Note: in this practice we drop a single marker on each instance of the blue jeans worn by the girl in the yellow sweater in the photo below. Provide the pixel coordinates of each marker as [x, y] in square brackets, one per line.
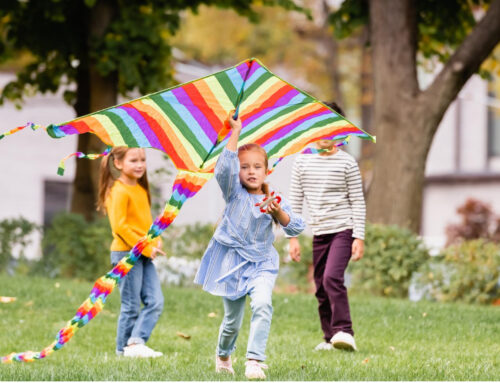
[141, 284]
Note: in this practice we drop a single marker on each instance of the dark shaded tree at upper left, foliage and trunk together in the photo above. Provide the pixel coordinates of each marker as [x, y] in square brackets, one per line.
[95, 50]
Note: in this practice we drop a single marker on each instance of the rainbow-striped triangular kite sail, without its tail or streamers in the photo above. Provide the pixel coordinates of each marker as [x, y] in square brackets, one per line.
[187, 122]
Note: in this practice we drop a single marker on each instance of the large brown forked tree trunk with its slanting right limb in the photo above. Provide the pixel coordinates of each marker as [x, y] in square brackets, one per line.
[405, 118]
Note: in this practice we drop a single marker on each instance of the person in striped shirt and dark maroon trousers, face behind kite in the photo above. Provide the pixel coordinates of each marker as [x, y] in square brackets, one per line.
[330, 183]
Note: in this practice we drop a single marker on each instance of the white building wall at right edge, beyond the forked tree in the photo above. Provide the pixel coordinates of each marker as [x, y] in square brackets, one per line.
[465, 130]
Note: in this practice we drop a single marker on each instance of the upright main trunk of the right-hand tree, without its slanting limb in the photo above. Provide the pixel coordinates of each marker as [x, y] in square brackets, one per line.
[395, 195]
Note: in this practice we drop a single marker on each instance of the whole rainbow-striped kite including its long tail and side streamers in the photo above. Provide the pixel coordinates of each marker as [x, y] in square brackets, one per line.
[187, 122]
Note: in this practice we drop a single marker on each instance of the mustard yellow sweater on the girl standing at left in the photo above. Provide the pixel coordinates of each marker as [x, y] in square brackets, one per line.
[129, 214]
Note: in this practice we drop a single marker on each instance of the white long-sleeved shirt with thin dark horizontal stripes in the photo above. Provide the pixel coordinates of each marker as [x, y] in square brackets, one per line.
[333, 190]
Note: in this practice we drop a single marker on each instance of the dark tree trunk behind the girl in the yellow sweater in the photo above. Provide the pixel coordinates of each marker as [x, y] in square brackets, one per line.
[95, 92]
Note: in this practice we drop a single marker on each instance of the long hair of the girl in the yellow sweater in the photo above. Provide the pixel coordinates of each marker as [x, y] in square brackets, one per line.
[107, 177]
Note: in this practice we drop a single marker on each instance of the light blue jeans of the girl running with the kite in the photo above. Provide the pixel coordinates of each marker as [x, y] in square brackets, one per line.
[262, 312]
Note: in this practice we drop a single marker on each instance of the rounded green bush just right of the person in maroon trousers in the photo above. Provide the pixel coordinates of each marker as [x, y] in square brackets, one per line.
[392, 256]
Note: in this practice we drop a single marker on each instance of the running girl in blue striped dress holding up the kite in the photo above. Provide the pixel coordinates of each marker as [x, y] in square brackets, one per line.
[240, 259]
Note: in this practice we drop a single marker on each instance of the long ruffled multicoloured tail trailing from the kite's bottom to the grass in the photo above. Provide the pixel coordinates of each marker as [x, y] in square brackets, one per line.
[186, 185]
